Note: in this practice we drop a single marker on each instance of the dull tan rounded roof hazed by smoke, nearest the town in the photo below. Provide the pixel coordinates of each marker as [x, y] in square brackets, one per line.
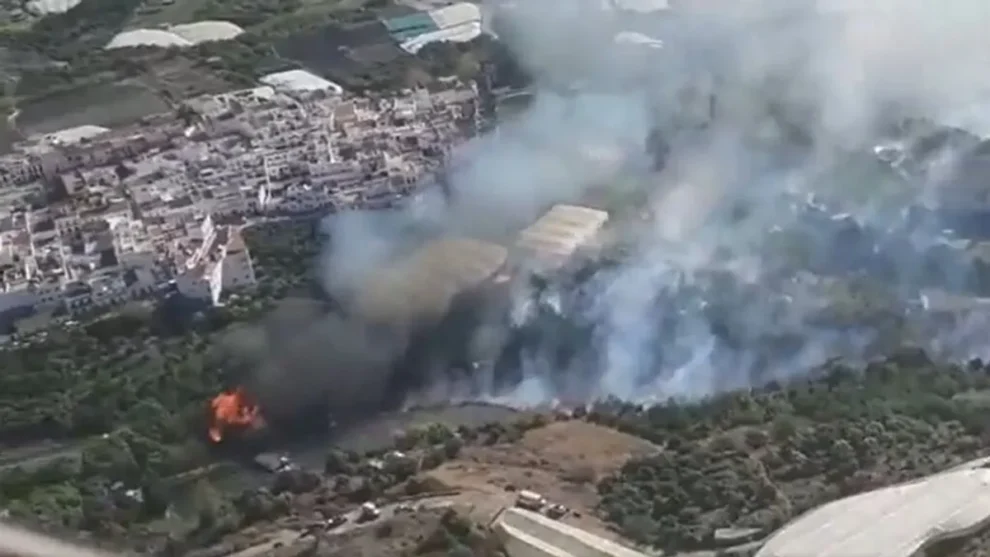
[423, 286]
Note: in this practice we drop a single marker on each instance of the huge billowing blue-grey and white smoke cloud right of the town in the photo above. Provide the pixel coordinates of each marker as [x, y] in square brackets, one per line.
[783, 171]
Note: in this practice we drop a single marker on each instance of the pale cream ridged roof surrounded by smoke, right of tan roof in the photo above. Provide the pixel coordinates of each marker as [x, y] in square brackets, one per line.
[551, 241]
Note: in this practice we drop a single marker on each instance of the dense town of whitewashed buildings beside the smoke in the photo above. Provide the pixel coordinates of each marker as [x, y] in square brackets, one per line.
[93, 217]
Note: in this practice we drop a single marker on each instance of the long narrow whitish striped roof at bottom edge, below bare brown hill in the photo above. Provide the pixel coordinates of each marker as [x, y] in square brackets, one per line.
[529, 534]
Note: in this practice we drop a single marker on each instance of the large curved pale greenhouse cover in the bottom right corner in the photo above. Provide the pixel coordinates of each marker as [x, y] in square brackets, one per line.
[899, 521]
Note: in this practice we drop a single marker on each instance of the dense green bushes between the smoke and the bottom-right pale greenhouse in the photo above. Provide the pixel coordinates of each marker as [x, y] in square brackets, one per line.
[839, 433]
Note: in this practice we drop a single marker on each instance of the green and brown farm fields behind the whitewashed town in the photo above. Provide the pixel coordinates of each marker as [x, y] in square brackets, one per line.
[64, 53]
